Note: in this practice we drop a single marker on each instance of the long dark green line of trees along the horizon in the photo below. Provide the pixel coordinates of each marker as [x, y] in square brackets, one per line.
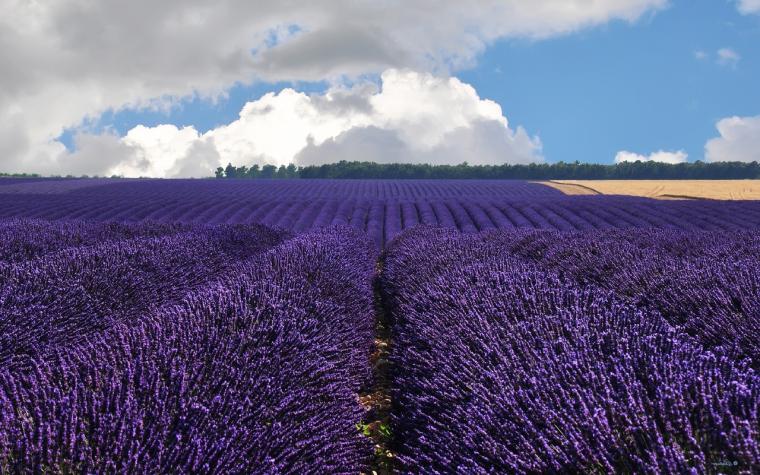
[544, 171]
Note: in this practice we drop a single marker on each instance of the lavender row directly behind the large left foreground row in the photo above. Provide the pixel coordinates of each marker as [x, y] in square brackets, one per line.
[73, 293]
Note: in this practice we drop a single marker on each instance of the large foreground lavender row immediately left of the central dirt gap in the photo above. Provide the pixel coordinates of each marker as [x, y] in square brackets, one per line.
[258, 372]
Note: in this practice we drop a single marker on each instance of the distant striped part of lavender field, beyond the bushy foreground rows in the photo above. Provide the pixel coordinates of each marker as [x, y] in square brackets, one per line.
[381, 208]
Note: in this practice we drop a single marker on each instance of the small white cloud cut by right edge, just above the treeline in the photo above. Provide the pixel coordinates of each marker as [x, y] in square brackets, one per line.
[739, 141]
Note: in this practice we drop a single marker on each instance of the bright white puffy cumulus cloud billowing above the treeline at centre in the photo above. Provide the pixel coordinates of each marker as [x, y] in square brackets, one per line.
[413, 117]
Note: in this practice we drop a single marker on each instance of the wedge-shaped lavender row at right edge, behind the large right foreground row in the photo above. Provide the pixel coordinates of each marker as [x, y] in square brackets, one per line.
[706, 283]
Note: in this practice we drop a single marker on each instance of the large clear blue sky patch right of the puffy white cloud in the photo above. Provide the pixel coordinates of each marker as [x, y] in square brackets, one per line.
[639, 88]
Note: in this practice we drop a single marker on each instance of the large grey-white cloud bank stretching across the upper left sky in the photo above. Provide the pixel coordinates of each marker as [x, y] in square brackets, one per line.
[67, 60]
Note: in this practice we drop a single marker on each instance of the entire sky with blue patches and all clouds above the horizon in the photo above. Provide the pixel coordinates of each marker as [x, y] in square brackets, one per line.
[177, 88]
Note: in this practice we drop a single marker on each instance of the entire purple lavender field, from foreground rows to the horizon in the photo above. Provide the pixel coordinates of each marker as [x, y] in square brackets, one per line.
[316, 326]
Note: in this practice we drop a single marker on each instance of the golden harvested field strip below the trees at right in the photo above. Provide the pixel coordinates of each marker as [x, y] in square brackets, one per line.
[663, 189]
